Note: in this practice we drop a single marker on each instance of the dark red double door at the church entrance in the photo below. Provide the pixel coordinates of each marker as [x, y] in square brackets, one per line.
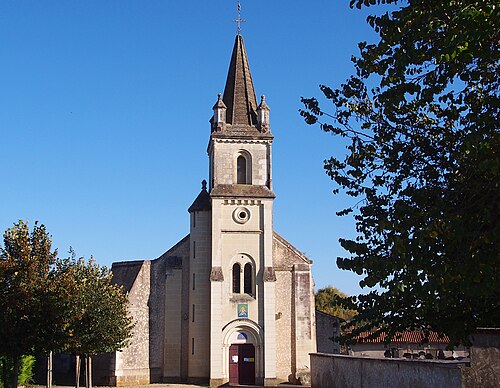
[242, 364]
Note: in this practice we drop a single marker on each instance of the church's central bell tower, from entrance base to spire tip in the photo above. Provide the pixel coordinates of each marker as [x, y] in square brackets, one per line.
[242, 280]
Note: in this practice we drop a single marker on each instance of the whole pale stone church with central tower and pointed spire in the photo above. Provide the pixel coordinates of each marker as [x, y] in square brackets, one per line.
[233, 301]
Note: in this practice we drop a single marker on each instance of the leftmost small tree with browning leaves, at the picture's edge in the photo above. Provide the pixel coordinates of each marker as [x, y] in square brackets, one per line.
[25, 262]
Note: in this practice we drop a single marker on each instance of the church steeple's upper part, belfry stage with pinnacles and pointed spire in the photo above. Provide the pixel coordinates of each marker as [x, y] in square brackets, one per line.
[240, 147]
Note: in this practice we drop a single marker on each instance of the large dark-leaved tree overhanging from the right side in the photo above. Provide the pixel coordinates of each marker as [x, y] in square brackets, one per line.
[421, 119]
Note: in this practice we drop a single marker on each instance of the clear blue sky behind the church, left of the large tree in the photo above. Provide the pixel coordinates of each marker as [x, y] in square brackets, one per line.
[104, 109]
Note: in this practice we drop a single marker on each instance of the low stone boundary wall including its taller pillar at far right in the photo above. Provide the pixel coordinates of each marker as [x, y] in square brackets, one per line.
[482, 370]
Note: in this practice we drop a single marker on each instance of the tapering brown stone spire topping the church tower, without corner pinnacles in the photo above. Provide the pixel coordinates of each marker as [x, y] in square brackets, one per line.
[239, 94]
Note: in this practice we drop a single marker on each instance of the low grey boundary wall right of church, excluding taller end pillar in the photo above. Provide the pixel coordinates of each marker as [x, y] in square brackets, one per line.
[336, 371]
